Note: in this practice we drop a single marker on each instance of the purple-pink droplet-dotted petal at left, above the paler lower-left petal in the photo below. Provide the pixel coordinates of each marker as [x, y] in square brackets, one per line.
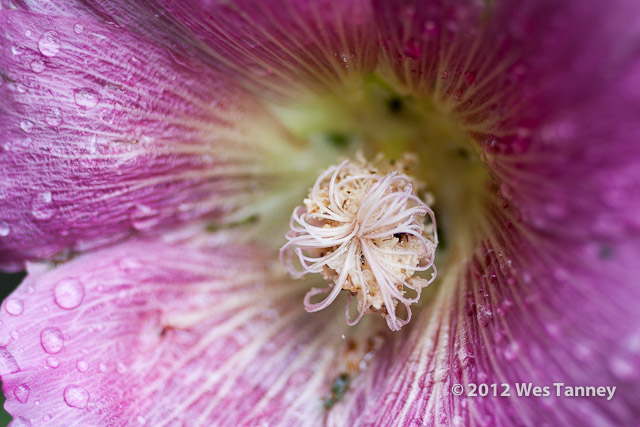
[105, 135]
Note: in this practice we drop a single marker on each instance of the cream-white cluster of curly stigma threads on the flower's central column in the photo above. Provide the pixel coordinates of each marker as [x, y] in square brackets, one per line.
[366, 230]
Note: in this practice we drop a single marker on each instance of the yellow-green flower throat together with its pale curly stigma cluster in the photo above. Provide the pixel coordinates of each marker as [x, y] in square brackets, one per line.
[377, 114]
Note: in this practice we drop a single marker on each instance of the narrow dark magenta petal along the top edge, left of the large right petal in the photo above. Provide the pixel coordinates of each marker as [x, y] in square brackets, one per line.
[272, 46]
